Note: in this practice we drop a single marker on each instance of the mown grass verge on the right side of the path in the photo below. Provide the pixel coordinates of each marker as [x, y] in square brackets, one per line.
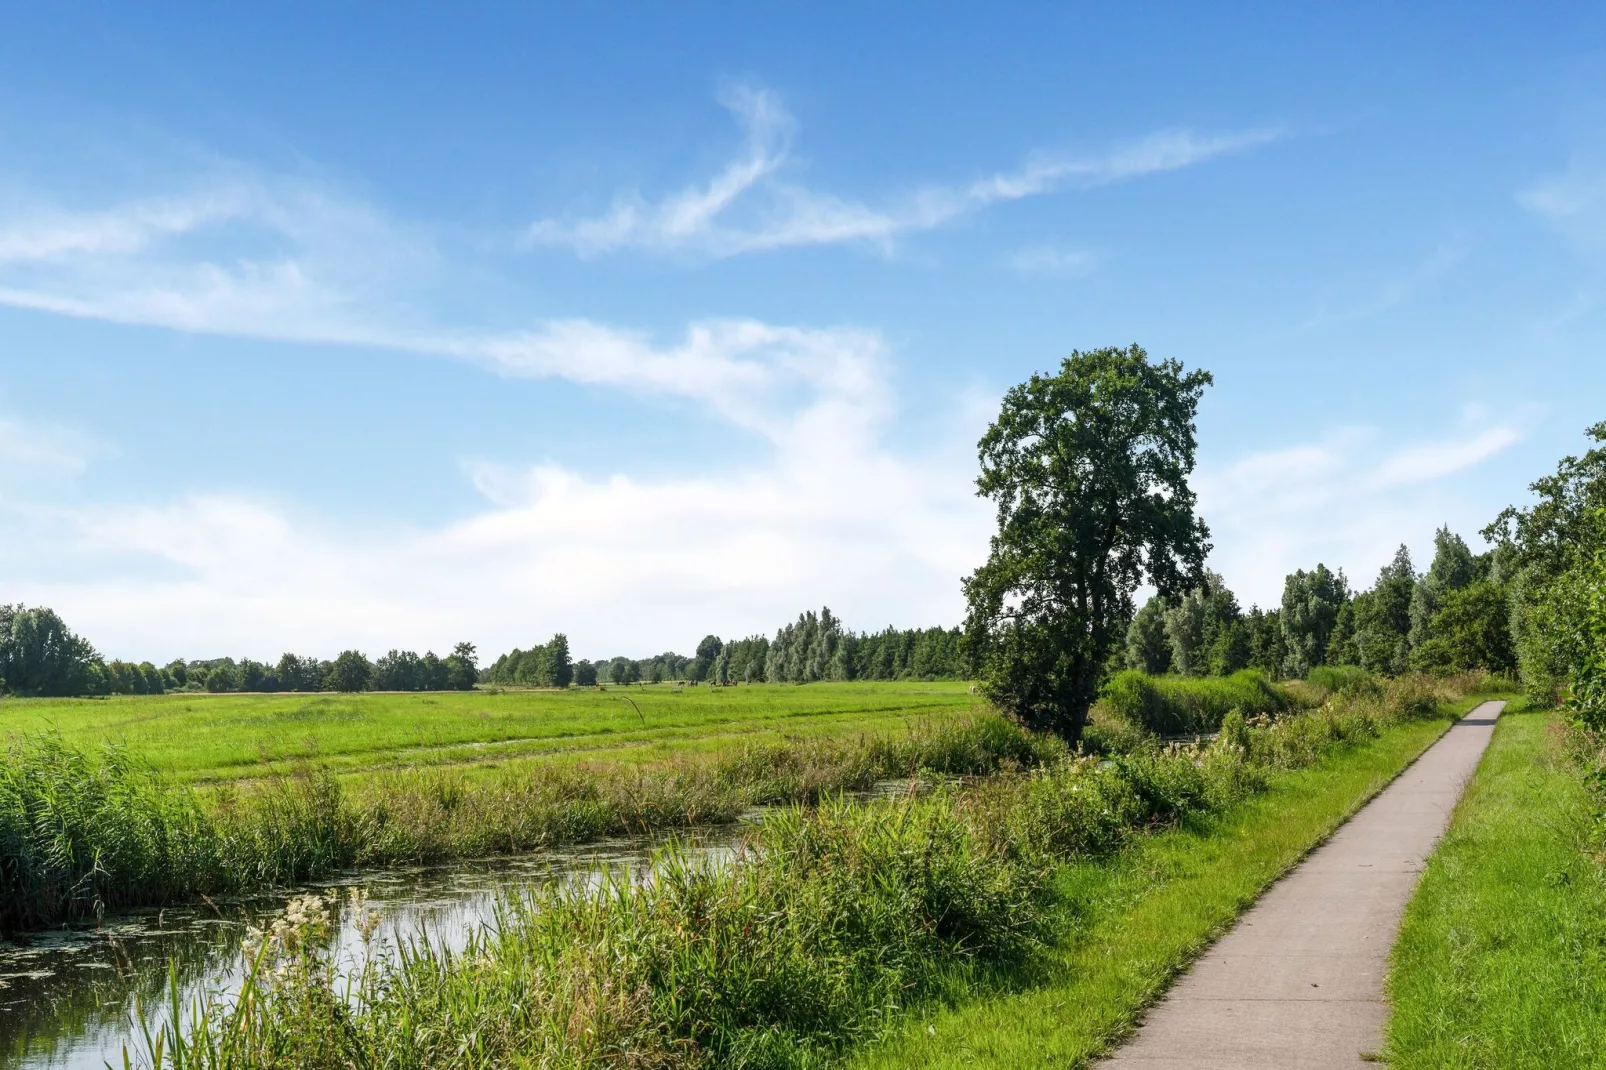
[1502, 957]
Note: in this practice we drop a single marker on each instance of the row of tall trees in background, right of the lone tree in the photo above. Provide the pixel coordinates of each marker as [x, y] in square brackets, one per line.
[1456, 616]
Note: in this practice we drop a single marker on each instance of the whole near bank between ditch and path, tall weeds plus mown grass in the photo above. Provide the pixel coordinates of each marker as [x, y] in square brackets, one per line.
[1024, 921]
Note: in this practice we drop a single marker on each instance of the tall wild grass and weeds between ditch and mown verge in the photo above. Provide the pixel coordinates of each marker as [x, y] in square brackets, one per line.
[826, 926]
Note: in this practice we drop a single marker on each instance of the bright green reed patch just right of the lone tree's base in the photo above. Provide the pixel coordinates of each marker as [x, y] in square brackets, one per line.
[1172, 706]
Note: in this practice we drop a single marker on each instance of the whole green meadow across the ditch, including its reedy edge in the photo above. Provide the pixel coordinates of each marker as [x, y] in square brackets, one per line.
[123, 802]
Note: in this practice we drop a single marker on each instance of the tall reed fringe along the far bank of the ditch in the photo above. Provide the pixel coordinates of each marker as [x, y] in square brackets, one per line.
[84, 833]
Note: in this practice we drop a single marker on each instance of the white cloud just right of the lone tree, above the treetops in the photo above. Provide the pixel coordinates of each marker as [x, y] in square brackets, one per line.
[1347, 500]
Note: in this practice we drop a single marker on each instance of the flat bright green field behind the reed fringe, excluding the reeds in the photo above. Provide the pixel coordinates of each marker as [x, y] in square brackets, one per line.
[234, 737]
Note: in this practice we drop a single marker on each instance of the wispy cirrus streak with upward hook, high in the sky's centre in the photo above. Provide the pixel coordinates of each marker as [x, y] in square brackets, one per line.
[752, 206]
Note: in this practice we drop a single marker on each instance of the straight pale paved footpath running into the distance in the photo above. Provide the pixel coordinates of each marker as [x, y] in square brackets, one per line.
[1298, 982]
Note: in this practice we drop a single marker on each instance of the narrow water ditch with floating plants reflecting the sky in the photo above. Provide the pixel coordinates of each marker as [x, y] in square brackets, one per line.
[70, 997]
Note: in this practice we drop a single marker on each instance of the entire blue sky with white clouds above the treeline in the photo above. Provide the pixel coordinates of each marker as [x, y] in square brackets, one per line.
[396, 327]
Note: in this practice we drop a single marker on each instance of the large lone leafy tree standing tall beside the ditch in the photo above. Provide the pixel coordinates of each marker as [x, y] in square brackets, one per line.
[1090, 473]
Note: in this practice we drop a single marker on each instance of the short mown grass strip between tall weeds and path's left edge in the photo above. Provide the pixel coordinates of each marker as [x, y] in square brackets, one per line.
[1133, 925]
